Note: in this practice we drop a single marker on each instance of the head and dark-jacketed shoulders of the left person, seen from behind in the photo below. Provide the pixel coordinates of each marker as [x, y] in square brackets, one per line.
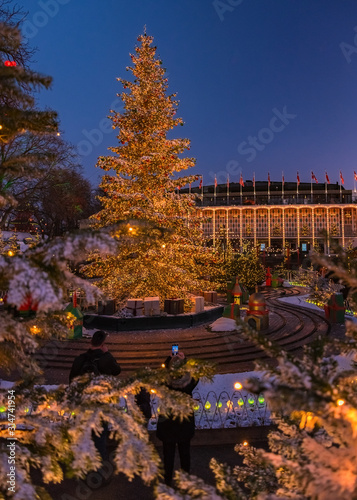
[98, 351]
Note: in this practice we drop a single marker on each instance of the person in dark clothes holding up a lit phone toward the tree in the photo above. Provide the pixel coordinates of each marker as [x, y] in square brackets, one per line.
[172, 431]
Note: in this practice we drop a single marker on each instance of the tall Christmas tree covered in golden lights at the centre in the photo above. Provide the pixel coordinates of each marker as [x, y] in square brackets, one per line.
[143, 186]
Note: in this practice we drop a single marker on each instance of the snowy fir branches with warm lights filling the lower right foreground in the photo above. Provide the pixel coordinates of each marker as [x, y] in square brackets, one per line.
[313, 454]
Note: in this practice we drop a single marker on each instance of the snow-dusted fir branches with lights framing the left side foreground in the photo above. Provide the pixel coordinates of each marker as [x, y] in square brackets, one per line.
[53, 428]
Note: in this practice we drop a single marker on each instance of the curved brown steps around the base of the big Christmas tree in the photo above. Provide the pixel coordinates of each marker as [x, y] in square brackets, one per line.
[290, 326]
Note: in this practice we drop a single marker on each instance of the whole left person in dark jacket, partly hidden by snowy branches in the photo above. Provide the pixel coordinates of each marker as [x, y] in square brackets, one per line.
[107, 365]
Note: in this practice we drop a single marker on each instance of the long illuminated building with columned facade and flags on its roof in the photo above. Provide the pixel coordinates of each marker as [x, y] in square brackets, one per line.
[279, 215]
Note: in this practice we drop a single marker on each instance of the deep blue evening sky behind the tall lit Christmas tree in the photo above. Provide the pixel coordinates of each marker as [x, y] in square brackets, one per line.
[235, 64]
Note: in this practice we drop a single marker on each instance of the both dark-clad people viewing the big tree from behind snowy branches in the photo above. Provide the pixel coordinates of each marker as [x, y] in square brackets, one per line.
[97, 360]
